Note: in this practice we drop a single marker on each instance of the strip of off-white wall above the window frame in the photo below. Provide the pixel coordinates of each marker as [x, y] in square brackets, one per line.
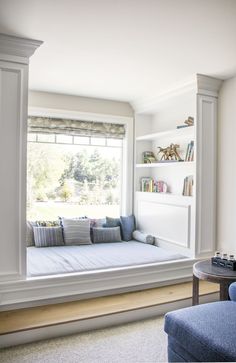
[81, 104]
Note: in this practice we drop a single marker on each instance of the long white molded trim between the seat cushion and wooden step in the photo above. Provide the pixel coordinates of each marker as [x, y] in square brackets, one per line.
[91, 284]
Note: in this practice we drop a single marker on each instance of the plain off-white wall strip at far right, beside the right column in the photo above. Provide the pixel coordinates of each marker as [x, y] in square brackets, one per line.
[226, 180]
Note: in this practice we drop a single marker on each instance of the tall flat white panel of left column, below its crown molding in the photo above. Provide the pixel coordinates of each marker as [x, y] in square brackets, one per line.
[11, 80]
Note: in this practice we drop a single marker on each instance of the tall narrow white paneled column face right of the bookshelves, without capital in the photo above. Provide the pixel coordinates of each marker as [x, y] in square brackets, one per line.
[206, 175]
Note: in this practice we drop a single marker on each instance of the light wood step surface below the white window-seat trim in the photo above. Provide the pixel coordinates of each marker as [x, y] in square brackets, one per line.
[43, 316]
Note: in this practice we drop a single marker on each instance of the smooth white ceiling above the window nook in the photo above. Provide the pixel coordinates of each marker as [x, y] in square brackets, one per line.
[127, 50]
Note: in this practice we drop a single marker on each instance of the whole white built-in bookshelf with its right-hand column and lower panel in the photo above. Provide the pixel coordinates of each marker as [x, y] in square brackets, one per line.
[182, 215]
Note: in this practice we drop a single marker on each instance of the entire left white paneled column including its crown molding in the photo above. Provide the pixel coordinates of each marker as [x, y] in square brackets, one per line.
[14, 54]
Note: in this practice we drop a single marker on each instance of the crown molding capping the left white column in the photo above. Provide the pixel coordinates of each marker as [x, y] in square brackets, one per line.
[17, 49]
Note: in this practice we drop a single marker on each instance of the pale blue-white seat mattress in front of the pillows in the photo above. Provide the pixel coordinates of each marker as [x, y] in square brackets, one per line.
[68, 259]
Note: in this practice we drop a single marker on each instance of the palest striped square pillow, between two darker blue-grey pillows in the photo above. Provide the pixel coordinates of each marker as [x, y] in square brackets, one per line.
[76, 231]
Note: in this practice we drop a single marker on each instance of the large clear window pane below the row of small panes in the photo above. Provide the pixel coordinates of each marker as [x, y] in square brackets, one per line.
[73, 180]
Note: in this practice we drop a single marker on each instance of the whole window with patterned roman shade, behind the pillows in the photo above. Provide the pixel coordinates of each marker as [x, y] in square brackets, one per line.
[73, 174]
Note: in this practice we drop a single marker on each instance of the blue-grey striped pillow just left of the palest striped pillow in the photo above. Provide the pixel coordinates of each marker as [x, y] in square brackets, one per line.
[48, 236]
